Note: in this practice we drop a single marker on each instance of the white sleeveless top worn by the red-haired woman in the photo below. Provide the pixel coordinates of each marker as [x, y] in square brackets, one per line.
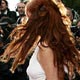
[34, 70]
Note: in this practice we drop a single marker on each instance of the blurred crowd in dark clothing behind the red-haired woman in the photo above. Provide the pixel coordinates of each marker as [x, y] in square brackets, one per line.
[9, 20]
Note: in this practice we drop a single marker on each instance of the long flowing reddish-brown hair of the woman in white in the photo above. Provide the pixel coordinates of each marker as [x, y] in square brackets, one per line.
[45, 24]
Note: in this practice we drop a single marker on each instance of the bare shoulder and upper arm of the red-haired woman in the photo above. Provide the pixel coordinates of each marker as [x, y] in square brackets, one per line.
[45, 57]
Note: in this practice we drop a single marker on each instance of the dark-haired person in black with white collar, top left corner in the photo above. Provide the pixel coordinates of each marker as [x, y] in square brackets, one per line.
[5, 11]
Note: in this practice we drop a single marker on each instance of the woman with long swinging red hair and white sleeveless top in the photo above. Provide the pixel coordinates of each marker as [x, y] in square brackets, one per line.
[47, 34]
